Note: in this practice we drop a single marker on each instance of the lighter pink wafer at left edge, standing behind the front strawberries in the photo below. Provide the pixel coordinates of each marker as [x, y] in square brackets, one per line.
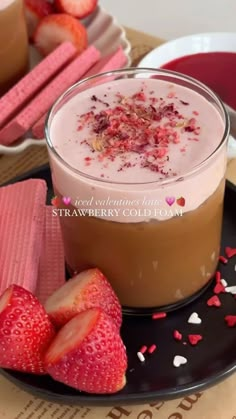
[22, 217]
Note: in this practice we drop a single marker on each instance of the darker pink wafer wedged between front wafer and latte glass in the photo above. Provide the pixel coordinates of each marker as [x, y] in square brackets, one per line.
[52, 261]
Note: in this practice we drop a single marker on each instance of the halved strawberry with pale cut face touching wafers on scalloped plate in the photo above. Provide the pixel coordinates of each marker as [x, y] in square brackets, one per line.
[55, 29]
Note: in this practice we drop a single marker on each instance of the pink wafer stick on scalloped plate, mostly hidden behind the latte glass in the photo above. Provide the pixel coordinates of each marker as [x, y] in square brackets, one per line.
[113, 61]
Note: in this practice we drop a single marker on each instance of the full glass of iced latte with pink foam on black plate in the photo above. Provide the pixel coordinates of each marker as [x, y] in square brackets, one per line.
[138, 163]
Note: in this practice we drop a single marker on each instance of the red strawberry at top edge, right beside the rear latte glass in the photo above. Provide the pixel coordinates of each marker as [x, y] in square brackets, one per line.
[35, 10]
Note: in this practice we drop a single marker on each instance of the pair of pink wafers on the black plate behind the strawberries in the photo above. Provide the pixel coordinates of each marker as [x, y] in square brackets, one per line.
[31, 253]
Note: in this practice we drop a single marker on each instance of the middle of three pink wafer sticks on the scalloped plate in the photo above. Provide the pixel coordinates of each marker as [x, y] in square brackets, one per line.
[19, 125]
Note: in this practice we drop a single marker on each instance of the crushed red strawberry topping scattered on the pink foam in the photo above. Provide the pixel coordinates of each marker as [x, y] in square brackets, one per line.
[139, 124]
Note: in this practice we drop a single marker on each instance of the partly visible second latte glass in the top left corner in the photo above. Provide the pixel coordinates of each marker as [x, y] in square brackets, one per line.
[14, 56]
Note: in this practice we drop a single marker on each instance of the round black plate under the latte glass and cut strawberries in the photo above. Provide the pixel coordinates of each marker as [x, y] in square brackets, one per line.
[156, 379]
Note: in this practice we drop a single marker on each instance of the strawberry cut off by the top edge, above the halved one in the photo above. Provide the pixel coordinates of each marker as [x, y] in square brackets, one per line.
[76, 8]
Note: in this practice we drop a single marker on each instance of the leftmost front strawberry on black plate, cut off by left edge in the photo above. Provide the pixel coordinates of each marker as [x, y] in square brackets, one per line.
[25, 331]
